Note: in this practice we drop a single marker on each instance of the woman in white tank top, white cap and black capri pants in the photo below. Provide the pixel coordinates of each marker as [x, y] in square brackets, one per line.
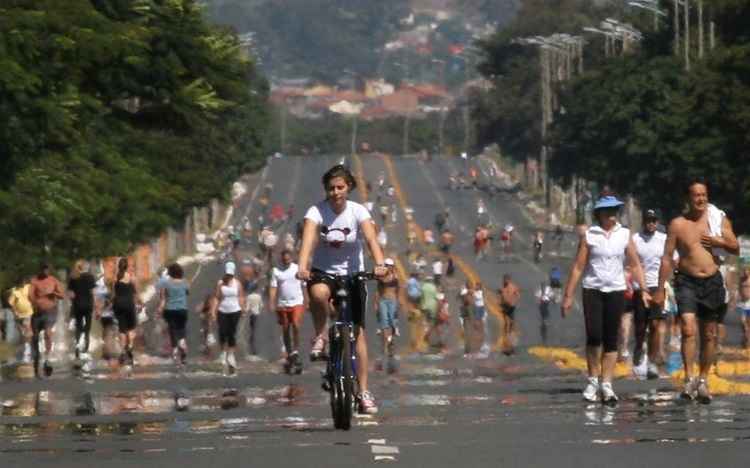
[226, 310]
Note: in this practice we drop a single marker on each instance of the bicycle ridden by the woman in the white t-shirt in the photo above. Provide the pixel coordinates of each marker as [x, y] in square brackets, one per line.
[340, 379]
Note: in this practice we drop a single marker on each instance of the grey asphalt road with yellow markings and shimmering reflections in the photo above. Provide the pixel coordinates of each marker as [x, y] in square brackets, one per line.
[438, 410]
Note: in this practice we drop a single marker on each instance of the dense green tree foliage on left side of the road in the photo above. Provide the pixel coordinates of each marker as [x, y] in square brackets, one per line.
[116, 117]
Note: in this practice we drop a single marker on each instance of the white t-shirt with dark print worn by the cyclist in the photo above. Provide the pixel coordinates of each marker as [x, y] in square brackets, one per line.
[340, 249]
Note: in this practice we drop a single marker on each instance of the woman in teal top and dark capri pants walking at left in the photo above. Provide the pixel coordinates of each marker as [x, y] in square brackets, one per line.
[173, 308]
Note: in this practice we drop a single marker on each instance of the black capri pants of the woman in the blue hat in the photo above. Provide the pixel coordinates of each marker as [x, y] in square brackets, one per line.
[602, 312]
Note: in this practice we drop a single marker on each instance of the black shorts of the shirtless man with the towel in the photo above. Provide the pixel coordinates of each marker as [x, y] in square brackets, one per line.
[705, 297]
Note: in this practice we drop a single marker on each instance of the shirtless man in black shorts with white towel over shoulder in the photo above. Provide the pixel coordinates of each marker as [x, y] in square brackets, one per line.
[699, 287]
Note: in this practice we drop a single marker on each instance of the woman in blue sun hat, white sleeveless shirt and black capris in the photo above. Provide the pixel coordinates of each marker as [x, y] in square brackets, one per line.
[602, 252]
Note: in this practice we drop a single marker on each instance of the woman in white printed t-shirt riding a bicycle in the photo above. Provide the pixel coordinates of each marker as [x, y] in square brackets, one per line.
[333, 236]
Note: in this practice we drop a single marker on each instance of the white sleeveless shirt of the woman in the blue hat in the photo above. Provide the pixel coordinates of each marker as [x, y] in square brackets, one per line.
[605, 269]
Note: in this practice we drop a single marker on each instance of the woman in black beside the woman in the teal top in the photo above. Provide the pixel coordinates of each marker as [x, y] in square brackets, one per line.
[125, 300]
